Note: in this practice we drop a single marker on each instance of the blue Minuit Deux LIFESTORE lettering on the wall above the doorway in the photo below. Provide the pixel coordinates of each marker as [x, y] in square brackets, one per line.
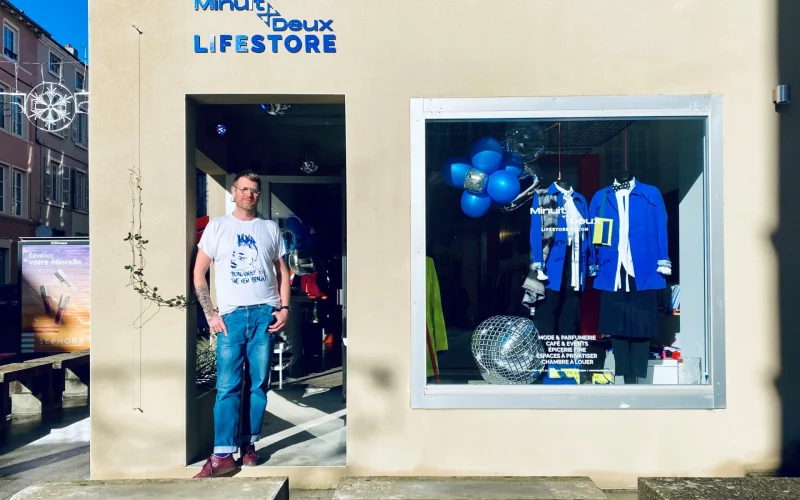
[314, 36]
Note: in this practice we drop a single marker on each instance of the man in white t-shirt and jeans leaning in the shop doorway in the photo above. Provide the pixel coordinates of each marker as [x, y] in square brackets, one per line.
[252, 288]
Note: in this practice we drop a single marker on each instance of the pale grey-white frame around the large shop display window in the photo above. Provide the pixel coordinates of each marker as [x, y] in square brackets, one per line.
[580, 397]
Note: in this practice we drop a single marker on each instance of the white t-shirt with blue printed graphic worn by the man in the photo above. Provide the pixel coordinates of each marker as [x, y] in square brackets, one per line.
[243, 253]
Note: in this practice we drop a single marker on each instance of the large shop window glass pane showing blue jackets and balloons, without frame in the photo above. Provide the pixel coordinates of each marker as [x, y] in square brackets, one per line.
[566, 252]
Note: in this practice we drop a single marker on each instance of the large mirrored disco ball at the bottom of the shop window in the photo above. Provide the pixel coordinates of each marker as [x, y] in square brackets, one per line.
[507, 350]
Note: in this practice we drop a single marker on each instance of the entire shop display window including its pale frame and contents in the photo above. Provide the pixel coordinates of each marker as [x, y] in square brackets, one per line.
[567, 253]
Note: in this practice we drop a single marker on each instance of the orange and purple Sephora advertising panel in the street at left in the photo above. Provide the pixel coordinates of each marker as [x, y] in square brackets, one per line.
[54, 279]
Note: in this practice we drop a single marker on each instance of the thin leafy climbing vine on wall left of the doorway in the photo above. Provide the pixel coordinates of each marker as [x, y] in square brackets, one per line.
[138, 243]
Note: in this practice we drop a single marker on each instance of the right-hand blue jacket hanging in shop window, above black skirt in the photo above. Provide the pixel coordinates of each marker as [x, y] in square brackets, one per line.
[647, 235]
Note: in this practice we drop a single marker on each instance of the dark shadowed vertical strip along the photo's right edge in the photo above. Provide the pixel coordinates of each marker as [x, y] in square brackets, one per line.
[786, 238]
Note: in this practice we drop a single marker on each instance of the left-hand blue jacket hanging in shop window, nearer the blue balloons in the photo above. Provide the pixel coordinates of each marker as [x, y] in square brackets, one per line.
[554, 267]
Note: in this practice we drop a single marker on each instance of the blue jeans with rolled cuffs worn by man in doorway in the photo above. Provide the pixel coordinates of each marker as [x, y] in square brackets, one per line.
[247, 338]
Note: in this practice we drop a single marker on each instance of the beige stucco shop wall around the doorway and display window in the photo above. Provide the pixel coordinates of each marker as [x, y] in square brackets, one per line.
[388, 52]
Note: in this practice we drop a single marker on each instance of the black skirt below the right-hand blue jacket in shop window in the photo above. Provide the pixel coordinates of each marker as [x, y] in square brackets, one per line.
[631, 314]
